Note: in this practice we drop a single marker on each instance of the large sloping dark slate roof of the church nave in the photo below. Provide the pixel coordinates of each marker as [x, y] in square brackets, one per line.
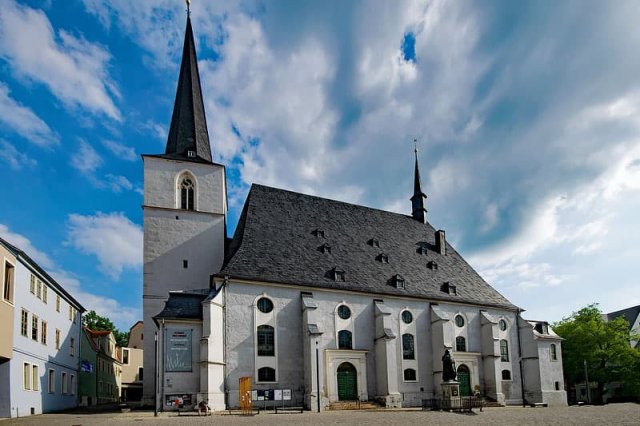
[275, 242]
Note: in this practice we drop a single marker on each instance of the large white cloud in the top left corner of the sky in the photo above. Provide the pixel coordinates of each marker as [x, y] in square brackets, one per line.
[74, 69]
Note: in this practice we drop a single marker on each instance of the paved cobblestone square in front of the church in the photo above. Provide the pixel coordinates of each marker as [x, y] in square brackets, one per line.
[613, 414]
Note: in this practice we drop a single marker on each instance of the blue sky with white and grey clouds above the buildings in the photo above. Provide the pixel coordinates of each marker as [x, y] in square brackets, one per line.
[527, 117]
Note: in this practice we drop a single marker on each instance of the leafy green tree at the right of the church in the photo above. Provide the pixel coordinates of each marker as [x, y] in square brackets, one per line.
[603, 345]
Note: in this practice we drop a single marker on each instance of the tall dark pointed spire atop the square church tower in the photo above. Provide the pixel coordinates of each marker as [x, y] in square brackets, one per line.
[188, 136]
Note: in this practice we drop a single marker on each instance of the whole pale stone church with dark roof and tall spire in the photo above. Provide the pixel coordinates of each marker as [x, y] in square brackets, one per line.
[314, 300]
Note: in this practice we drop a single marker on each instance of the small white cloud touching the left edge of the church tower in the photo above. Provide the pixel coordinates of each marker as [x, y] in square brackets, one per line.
[112, 238]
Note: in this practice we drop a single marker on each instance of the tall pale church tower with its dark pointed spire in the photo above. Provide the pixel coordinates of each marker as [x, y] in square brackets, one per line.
[185, 208]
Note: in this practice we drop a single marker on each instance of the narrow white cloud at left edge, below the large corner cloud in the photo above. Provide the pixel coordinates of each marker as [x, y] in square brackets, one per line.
[24, 121]
